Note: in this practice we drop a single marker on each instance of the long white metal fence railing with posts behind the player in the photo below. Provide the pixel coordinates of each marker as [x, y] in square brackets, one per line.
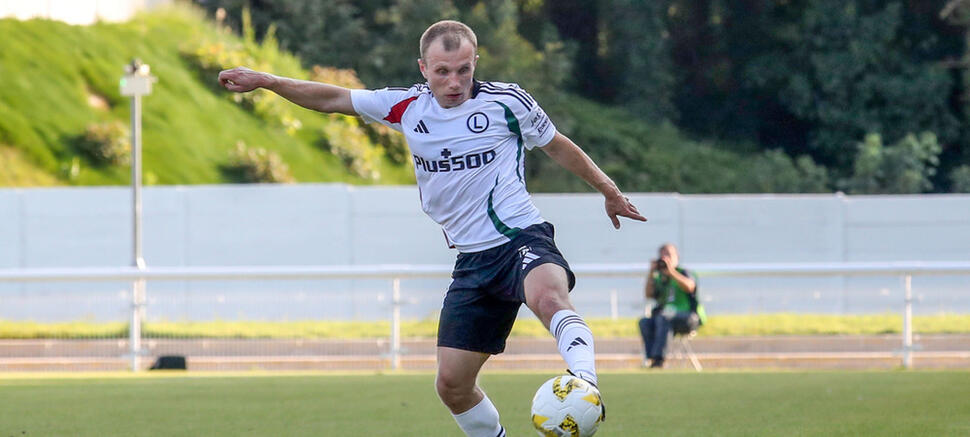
[394, 273]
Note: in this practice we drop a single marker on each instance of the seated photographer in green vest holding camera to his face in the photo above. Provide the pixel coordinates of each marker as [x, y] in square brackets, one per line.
[674, 290]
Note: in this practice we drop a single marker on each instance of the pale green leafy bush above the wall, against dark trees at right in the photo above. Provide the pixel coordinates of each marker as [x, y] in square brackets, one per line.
[906, 167]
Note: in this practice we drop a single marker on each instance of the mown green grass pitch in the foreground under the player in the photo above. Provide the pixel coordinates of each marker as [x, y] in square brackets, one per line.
[639, 404]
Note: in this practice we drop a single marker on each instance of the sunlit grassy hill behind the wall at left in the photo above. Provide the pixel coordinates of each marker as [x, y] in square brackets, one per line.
[62, 81]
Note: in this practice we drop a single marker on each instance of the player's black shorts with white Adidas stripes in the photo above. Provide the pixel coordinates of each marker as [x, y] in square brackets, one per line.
[487, 289]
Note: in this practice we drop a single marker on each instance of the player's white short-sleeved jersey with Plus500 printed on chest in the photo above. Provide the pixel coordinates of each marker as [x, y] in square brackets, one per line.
[469, 160]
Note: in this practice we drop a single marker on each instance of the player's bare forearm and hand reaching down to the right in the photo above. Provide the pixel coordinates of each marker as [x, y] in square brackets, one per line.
[562, 150]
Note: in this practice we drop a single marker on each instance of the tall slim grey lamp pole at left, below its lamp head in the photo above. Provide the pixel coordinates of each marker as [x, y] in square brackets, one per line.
[138, 286]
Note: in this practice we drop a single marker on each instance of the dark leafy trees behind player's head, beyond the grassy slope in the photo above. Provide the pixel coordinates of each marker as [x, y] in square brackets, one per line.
[809, 77]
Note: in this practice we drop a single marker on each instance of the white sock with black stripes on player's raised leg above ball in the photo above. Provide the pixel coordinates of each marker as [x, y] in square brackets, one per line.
[575, 342]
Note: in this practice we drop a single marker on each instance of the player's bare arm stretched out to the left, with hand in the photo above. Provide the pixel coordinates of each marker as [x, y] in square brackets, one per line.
[311, 95]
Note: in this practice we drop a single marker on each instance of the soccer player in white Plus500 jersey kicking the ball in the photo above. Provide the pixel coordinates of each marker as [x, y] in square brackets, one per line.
[467, 139]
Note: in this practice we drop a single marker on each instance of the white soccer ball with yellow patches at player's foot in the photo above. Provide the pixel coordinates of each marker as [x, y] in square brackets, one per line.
[566, 406]
